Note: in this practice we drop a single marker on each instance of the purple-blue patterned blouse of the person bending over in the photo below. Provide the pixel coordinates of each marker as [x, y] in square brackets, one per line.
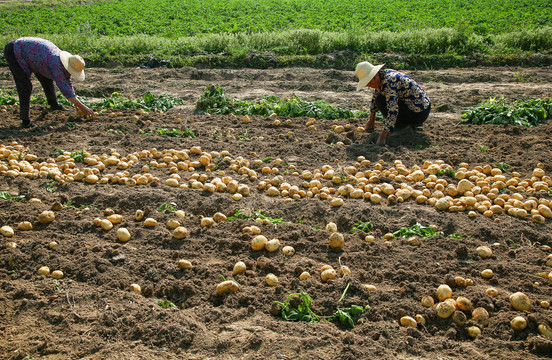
[41, 56]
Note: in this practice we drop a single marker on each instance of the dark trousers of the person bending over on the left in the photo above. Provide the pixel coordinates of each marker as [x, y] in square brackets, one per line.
[25, 87]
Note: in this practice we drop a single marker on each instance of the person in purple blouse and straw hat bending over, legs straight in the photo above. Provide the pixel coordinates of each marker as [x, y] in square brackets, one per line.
[29, 55]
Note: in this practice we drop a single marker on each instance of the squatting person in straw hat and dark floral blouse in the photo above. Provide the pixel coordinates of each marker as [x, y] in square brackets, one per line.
[403, 103]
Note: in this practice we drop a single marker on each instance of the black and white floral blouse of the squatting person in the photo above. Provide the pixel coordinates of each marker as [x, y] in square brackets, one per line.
[396, 86]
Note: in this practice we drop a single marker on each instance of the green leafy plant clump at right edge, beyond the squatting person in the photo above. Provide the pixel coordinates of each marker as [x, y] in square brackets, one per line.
[523, 113]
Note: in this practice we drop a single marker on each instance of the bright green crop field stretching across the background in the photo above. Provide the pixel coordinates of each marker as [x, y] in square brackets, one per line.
[187, 32]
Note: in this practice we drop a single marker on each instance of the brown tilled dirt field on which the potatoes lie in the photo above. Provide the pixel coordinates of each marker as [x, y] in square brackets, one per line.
[91, 314]
